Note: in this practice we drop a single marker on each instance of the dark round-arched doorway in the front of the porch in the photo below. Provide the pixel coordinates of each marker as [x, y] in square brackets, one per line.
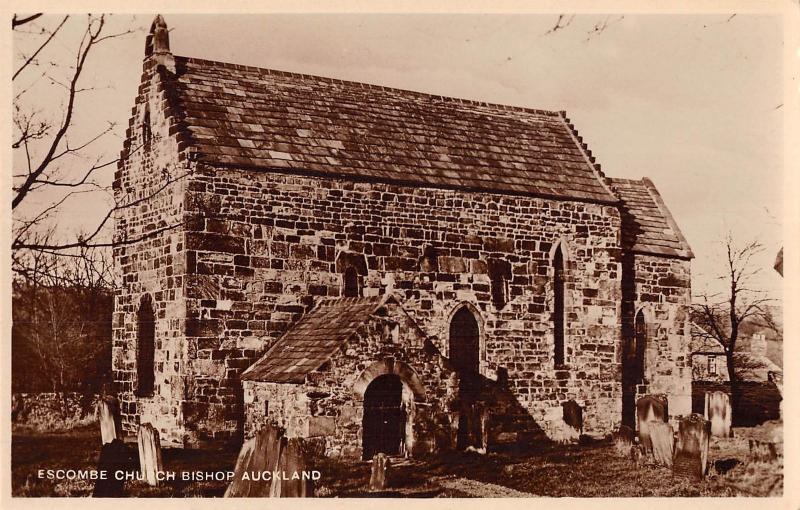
[384, 421]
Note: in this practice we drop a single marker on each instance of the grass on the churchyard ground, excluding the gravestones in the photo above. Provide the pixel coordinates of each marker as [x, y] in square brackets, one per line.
[588, 470]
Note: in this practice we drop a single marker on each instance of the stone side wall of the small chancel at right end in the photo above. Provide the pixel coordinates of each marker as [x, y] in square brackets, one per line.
[663, 293]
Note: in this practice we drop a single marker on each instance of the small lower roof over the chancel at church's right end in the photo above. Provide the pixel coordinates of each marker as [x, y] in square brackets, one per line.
[648, 226]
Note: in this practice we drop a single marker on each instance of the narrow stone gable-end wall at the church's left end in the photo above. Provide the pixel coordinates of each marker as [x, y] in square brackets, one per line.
[149, 258]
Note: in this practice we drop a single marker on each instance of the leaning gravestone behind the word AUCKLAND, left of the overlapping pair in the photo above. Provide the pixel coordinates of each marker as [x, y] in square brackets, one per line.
[259, 453]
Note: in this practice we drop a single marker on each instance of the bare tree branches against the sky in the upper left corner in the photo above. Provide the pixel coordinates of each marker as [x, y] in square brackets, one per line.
[54, 163]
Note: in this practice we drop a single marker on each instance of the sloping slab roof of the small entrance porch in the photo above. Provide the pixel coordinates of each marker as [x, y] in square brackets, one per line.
[313, 340]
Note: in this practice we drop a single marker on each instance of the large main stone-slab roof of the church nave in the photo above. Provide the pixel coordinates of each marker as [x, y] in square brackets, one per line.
[249, 117]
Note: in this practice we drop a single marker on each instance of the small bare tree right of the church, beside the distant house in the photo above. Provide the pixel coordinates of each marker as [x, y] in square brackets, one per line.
[723, 316]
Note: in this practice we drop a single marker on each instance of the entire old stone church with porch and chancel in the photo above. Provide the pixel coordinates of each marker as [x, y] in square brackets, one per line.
[381, 270]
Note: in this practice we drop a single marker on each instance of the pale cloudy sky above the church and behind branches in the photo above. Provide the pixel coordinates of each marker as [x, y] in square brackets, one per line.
[692, 102]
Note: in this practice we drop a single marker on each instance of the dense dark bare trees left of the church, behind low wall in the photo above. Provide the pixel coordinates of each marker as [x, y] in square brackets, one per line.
[62, 323]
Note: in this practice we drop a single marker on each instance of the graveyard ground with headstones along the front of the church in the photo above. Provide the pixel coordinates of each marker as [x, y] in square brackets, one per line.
[748, 464]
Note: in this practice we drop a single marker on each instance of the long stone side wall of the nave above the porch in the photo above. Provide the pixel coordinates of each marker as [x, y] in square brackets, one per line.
[262, 245]
